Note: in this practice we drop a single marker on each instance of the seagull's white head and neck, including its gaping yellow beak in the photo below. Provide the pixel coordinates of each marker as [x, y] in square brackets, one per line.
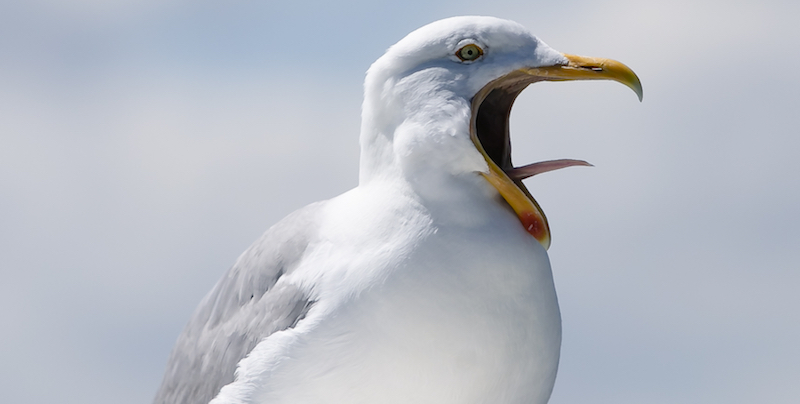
[437, 107]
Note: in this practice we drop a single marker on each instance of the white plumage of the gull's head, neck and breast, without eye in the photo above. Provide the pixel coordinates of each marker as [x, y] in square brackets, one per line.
[427, 289]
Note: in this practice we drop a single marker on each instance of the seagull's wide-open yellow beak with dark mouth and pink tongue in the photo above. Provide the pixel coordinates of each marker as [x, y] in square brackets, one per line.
[489, 130]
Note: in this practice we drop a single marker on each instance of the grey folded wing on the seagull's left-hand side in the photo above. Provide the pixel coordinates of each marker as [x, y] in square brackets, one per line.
[243, 308]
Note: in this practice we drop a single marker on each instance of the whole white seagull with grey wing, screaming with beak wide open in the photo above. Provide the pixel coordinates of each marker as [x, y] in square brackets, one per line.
[427, 283]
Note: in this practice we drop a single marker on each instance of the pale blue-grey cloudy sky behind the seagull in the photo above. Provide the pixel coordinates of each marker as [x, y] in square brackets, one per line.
[145, 144]
